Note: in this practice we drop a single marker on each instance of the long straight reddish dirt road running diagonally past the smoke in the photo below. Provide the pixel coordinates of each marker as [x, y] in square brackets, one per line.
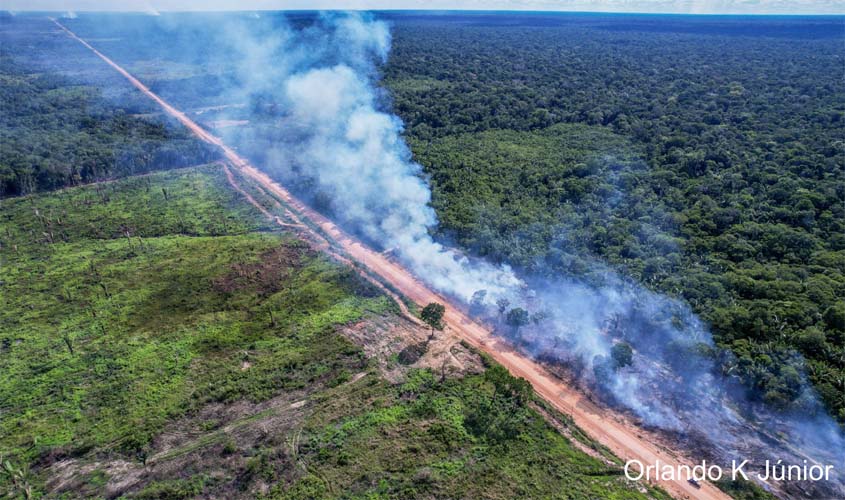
[601, 424]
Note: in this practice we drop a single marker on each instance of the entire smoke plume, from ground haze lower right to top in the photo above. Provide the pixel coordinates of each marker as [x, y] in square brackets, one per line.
[337, 141]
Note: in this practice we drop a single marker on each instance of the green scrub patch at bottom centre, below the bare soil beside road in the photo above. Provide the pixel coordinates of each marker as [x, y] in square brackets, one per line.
[458, 438]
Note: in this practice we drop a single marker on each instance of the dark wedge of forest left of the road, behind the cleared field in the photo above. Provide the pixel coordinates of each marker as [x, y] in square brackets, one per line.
[55, 133]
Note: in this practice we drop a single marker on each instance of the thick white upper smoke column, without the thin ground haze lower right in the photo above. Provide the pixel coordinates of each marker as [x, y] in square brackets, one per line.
[352, 148]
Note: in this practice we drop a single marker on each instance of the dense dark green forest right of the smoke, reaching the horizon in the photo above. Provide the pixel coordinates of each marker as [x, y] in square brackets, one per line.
[709, 165]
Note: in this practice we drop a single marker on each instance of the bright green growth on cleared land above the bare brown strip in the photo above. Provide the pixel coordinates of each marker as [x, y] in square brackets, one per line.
[105, 338]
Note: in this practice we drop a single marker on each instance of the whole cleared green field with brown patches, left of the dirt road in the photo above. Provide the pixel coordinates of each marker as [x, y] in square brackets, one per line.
[159, 340]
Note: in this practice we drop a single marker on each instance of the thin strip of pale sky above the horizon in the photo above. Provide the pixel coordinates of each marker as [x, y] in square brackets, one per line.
[649, 6]
